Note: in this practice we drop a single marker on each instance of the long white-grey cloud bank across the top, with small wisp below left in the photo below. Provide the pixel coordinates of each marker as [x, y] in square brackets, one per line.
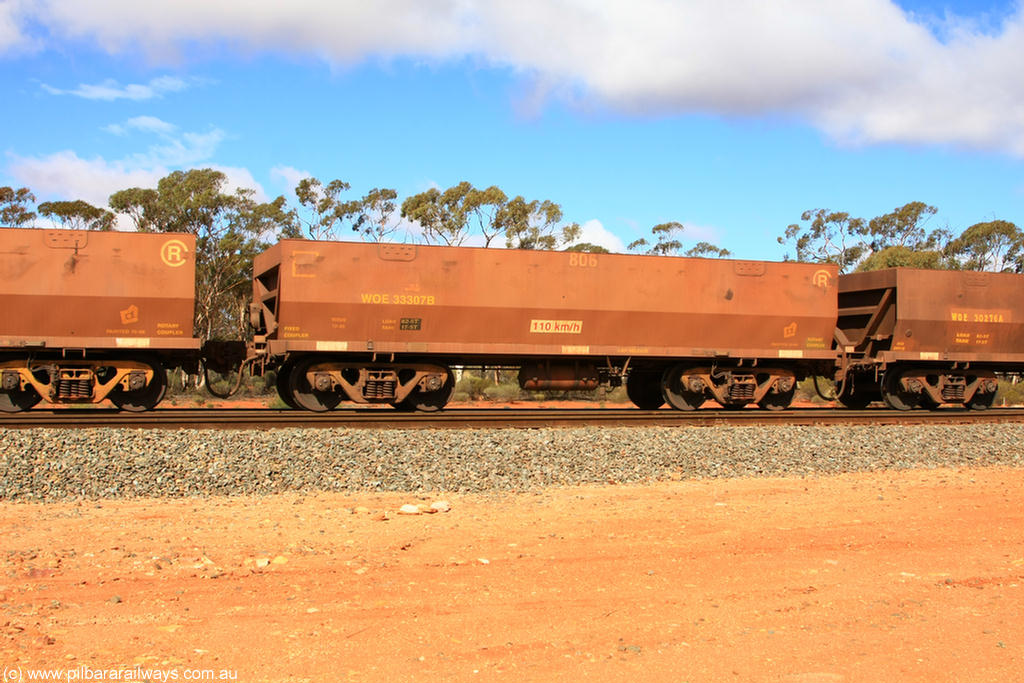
[864, 71]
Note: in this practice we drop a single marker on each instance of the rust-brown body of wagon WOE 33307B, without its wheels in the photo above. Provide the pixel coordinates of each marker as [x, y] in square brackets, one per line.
[480, 303]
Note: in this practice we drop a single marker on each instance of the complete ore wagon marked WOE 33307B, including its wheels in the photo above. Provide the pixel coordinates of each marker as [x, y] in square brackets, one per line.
[386, 324]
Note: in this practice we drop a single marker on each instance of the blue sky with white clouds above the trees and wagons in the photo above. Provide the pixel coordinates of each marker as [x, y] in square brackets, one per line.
[730, 118]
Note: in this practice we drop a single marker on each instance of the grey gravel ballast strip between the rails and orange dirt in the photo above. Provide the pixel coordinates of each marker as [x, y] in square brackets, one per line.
[60, 464]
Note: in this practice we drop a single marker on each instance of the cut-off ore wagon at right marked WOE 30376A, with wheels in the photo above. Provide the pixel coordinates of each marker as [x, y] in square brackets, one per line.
[921, 338]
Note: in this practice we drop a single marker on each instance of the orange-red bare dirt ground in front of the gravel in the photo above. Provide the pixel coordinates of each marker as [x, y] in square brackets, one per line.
[912, 576]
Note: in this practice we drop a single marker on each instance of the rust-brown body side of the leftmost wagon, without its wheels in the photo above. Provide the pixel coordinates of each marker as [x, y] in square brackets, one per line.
[97, 290]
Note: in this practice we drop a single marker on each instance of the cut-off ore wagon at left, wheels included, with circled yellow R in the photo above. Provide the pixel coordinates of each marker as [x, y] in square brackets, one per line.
[90, 316]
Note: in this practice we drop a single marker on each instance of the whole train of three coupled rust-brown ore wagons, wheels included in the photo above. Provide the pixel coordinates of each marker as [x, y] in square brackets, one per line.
[92, 316]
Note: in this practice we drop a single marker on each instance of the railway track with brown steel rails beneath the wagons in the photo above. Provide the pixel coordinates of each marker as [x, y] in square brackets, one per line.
[488, 418]
